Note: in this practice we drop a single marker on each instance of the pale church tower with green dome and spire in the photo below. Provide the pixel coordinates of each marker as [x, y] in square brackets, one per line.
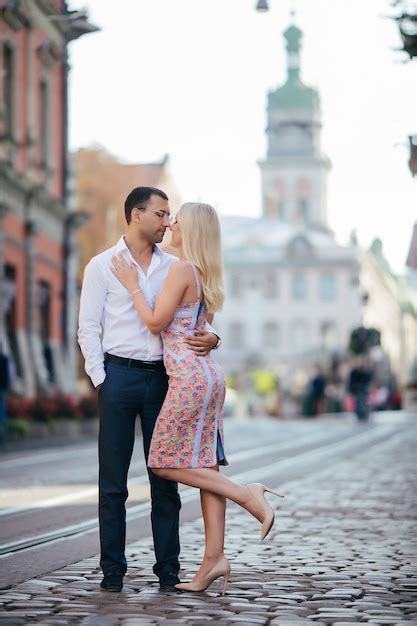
[294, 173]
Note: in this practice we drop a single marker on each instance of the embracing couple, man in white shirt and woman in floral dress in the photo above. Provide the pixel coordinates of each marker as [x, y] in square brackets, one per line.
[145, 333]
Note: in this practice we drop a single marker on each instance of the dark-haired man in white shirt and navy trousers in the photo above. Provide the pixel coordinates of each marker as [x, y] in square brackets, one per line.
[124, 362]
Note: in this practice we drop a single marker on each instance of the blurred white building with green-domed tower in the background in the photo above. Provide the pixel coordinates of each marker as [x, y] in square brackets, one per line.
[292, 292]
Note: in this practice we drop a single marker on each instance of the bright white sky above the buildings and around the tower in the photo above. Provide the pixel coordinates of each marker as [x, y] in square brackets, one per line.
[190, 78]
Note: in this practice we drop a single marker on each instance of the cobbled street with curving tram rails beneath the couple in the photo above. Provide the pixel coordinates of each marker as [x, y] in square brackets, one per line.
[342, 548]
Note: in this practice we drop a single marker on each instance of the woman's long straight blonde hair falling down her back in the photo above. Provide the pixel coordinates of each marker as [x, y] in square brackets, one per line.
[201, 243]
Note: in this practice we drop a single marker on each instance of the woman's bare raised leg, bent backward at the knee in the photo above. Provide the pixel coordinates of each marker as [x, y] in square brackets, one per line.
[208, 479]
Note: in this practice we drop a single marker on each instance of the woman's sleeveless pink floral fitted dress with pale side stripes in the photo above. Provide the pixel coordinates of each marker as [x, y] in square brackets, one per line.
[189, 429]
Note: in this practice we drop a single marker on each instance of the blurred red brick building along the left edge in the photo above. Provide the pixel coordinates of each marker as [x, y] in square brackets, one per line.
[35, 221]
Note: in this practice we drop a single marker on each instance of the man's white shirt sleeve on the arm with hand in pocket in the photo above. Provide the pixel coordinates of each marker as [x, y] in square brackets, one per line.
[93, 296]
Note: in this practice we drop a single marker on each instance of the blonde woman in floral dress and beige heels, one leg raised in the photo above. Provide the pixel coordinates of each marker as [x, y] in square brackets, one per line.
[187, 443]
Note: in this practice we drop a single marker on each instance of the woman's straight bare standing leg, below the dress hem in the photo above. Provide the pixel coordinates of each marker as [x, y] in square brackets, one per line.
[213, 507]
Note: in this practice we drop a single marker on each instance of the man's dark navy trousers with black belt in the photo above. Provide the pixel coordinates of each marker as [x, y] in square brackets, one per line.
[126, 393]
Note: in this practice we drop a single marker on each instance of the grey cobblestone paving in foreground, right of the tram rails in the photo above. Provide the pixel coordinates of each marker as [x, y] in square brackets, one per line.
[343, 550]
